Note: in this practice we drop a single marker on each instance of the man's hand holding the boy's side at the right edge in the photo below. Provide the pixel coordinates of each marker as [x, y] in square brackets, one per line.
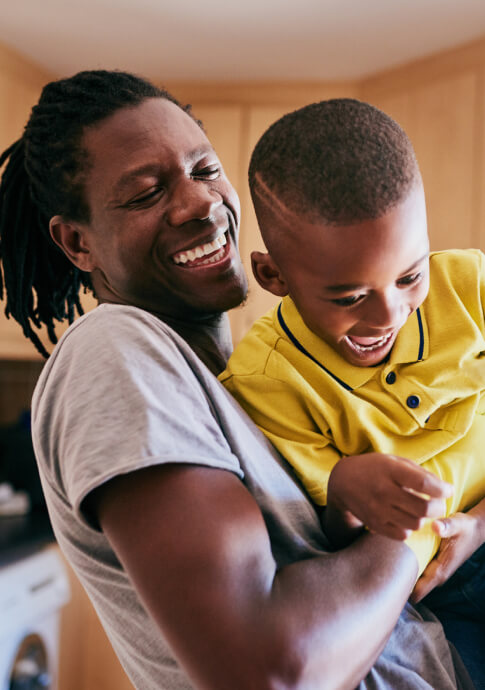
[461, 535]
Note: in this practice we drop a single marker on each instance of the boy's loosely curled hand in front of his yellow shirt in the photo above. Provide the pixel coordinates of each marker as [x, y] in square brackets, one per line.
[390, 495]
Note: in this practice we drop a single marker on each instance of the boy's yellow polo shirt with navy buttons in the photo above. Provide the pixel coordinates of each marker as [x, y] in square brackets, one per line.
[425, 403]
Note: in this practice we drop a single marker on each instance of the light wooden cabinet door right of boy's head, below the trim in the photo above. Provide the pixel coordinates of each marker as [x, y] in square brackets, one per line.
[440, 117]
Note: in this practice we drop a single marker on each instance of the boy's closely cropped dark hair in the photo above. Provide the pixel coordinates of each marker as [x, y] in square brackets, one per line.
[340, 161]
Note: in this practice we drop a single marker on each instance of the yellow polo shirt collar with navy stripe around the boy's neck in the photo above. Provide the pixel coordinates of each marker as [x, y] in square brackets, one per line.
[411, 345]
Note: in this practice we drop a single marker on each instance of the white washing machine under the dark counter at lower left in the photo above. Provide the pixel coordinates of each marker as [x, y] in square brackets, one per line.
[32, 592]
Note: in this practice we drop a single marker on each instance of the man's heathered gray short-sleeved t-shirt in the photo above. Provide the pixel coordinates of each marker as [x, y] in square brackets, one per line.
[123, 391]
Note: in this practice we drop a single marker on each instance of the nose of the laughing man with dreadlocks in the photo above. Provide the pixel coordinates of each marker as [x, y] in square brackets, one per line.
[192, 200]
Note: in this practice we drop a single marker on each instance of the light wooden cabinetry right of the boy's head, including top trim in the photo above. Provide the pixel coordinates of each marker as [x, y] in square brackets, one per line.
[440, 102]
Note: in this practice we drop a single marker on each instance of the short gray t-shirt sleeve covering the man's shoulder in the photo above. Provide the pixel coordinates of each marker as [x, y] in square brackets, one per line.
[122, 395]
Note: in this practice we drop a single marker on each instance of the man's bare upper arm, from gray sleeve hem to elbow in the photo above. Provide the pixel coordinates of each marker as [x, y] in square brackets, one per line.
[195, 544]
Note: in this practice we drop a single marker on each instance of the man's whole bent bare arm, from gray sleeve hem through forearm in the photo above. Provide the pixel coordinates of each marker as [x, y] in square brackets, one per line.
[195, 544]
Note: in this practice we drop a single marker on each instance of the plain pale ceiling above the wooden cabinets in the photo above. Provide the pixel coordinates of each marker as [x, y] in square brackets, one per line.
[223, 40]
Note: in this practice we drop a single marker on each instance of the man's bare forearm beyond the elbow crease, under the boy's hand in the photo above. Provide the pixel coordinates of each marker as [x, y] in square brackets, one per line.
[352, 600]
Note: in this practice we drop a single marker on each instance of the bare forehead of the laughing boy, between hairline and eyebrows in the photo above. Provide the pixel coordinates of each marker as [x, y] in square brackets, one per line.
[354, 253]
